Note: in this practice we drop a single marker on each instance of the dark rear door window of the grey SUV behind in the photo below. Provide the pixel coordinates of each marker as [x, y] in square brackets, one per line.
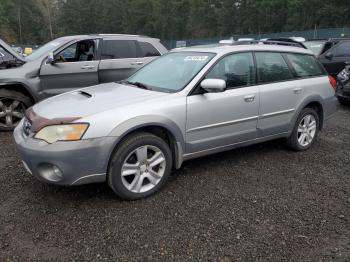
[117, 49]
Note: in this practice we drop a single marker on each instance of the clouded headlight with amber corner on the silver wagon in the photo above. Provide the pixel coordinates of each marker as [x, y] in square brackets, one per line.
[71, 132]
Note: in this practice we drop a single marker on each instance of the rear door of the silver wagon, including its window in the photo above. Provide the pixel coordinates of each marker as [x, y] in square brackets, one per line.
[280, 93]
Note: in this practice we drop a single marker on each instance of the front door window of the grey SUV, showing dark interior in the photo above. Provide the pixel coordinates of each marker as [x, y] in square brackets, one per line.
[78, 52]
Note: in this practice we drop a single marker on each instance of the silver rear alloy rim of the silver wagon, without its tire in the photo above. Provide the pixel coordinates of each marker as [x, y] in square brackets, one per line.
[307, 130]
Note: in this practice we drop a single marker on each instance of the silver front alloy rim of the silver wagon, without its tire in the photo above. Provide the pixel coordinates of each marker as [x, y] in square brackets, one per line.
[143, 169]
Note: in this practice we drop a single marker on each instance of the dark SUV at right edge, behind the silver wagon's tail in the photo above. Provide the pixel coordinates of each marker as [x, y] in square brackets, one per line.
[335, 55]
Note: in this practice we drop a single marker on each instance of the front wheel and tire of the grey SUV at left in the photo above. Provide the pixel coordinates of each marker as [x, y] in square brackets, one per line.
[12, 108]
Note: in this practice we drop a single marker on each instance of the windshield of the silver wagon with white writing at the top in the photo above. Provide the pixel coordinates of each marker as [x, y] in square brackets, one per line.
[171, 72]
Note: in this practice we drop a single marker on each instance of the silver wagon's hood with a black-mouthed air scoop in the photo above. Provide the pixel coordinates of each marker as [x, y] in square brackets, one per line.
[93, 100]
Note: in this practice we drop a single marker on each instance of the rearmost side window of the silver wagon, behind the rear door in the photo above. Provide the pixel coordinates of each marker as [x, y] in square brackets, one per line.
[305, 65]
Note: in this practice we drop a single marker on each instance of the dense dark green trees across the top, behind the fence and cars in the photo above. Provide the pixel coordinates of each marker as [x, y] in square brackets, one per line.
[37, 21]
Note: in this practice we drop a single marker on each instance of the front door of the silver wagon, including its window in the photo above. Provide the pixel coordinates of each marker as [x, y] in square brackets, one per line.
[217, 120]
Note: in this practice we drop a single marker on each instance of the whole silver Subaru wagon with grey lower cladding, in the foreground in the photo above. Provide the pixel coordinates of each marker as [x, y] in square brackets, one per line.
[186, 104]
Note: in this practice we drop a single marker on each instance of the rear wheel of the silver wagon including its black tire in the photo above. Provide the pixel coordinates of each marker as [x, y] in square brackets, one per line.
[296, 136]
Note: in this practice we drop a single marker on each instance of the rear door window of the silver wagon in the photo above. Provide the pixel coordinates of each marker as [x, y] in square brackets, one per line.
[272, 67]
